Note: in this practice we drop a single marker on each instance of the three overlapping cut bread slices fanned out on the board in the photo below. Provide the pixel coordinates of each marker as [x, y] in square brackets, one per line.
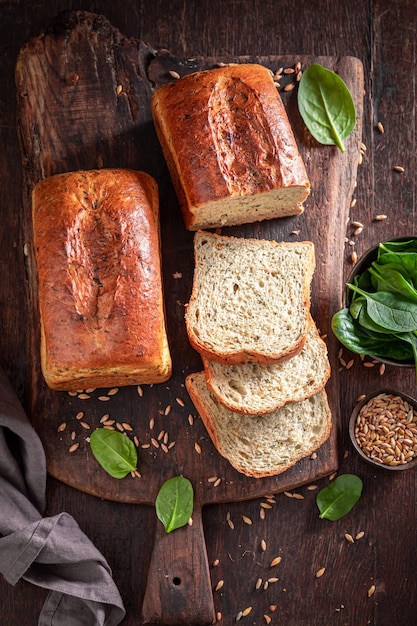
[262, 393]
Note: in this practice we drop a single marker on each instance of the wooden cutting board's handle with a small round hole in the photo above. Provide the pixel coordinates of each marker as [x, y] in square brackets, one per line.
[178, 589]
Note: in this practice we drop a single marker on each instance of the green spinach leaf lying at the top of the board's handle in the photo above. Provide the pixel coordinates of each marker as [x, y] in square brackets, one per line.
[174, 503]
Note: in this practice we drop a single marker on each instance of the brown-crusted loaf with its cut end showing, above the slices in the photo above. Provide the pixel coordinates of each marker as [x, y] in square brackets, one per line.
[229, 147]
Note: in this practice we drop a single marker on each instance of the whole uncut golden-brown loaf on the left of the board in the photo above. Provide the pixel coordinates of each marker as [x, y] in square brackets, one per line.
[97, 243]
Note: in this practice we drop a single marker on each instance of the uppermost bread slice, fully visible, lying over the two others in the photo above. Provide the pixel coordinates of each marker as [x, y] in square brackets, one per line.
[250, 299]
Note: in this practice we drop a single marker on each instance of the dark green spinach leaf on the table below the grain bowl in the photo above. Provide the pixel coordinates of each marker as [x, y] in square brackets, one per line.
[338, 498]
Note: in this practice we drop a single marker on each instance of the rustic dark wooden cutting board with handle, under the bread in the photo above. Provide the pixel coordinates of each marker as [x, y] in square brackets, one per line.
[84, 102]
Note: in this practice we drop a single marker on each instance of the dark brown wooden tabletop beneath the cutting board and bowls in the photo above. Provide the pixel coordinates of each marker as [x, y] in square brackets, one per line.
[383, 35]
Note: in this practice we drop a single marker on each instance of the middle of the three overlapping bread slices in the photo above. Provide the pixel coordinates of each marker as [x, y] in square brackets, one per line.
[257, 389]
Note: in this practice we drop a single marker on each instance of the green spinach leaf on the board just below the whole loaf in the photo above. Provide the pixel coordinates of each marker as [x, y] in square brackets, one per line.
[115, 452]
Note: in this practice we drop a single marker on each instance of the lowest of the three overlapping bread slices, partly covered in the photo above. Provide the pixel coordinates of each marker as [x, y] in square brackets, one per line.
[265, 445]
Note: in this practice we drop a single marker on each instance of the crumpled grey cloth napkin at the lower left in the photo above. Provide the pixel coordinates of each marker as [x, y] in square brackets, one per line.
[51, 552]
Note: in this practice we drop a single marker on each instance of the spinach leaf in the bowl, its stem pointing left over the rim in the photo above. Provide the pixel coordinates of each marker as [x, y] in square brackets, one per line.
[392, 312]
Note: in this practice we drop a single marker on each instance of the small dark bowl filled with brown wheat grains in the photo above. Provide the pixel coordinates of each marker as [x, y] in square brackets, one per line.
[383, 429]
